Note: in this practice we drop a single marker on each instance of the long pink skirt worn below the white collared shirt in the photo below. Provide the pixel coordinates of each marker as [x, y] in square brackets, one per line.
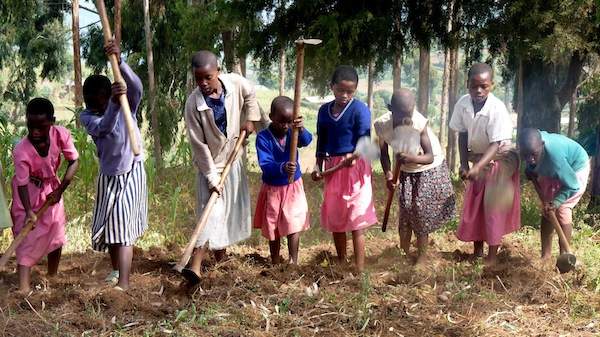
[492, 205]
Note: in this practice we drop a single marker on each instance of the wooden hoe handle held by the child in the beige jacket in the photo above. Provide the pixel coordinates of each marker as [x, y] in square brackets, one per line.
[189, 249]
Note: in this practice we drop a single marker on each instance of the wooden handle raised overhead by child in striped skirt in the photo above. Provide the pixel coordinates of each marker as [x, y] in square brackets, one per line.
[114, 62]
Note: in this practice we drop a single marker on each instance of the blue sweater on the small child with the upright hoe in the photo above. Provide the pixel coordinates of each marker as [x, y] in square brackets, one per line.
[272, 155]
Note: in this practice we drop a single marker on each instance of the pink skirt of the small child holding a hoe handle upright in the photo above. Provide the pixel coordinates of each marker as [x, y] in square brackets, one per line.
[281, 210]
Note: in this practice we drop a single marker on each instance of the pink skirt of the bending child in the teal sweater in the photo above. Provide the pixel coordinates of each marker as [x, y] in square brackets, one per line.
[551, 186]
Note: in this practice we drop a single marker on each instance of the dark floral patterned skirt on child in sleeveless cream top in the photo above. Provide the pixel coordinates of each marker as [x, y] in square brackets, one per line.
[426, 199]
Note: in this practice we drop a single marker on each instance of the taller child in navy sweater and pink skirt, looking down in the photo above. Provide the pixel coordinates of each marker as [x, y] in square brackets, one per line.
[348, 197]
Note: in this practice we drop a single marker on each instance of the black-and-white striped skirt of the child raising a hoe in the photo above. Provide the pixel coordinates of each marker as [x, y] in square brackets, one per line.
[121, 210]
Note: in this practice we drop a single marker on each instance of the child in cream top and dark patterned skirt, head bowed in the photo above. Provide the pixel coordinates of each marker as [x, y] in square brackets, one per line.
[426, 194]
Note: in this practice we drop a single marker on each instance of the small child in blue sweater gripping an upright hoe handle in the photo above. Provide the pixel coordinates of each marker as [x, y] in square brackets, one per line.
[281, 208]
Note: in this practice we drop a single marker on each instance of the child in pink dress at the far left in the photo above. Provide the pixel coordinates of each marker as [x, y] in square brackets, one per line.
[37, 161]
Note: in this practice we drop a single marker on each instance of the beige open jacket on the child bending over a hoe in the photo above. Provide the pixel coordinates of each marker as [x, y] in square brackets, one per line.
[210, 148]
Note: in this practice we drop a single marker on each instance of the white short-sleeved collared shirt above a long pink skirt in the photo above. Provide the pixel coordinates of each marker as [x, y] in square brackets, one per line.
[491, 124]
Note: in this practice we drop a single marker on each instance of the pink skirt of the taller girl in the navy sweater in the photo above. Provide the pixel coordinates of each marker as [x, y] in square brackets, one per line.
[348, 198]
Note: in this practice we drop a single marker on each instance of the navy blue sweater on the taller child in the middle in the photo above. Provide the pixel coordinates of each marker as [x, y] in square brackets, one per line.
[338, 135]
